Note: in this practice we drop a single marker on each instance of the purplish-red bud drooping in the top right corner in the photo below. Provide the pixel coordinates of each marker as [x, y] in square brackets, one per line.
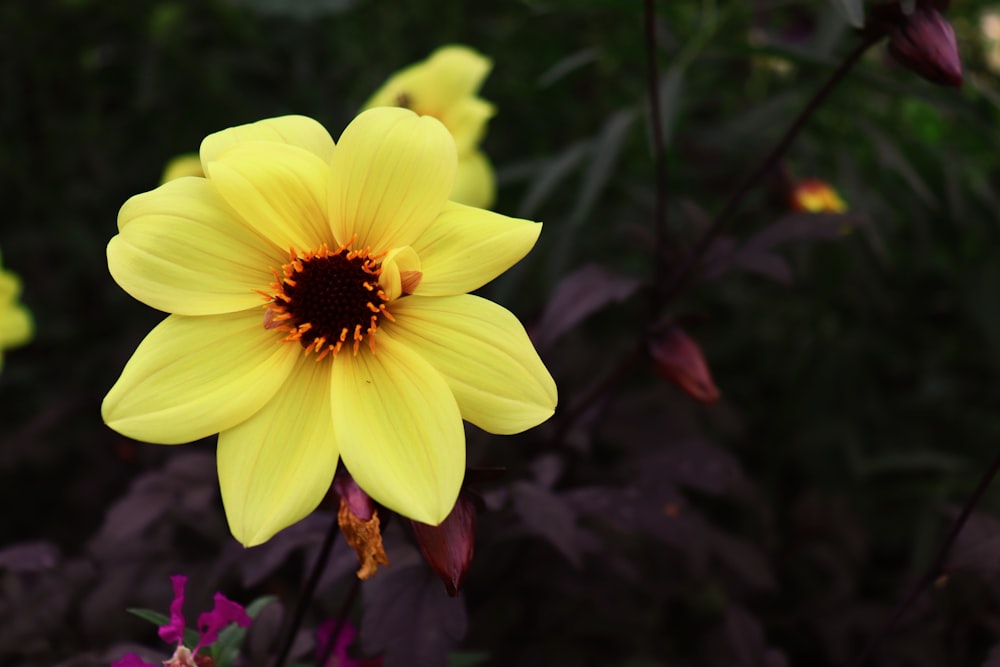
[924, 42]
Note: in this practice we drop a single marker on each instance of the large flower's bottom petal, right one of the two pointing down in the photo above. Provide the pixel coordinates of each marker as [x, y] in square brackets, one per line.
[399, 430]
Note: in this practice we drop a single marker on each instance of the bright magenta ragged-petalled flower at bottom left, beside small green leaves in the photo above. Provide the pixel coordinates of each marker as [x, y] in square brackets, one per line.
[210, 624]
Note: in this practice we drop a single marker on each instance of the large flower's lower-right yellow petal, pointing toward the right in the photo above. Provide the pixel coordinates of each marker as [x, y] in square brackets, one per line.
[484, 354]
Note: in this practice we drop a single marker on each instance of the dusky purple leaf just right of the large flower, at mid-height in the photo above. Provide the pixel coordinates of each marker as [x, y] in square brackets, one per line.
[579, 295]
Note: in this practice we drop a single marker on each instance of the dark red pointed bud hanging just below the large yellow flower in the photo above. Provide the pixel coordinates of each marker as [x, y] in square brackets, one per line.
[448, 548]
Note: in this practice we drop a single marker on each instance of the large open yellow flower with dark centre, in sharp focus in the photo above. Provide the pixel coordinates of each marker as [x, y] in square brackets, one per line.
[367, 347]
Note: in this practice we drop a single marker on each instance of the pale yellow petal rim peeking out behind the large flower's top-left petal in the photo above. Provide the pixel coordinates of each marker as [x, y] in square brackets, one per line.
[298, 131]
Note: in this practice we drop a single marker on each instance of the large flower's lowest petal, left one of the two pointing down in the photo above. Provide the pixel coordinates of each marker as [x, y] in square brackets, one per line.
[275, 467]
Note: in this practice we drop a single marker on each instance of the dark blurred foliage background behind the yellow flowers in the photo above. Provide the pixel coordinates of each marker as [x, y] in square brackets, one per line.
[858, 370]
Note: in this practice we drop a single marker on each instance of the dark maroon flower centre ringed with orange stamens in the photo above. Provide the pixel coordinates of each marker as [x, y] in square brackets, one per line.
[327, 298]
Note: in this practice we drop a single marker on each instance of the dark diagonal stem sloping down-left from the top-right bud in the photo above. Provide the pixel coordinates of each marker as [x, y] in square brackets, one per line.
[686, 269]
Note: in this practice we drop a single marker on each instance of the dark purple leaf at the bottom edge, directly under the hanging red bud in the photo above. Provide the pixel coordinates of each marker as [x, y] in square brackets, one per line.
[408, 617]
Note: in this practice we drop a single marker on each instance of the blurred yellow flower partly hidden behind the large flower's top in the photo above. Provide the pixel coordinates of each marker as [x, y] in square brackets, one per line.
[445, 86]
